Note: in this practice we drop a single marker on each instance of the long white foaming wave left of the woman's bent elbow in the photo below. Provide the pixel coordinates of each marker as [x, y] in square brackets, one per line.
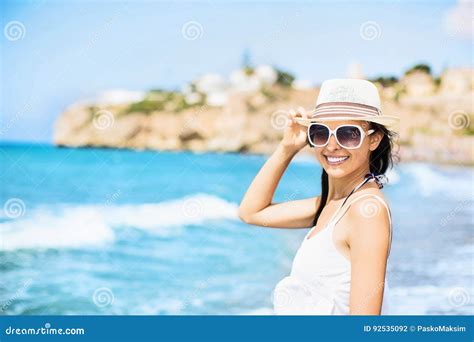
[93, 225]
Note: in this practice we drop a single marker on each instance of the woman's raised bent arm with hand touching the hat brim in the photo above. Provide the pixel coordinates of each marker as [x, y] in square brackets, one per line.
[257, 208]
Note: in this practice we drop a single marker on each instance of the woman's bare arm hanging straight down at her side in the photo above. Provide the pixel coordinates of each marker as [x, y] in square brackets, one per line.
[369, 241]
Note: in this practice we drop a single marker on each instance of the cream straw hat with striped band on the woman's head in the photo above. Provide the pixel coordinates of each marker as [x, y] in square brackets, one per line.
[349, 99]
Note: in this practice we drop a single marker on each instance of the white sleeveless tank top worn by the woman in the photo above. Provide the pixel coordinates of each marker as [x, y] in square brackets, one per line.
[320, 278]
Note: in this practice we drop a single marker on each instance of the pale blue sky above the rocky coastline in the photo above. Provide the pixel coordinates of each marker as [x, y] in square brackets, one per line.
[54, 53]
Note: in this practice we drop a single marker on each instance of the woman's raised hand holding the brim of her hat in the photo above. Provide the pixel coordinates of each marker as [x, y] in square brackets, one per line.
[295, 135]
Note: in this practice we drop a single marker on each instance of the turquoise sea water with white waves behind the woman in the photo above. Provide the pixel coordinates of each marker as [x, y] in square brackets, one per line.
[98, 231]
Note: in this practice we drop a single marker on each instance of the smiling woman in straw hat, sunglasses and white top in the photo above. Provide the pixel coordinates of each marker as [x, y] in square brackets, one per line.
[340, 267]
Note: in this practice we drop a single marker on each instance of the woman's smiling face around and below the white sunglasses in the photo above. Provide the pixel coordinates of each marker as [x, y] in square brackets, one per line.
[354, 159]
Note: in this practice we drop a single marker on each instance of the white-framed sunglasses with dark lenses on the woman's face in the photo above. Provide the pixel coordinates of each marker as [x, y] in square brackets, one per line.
[347, 136]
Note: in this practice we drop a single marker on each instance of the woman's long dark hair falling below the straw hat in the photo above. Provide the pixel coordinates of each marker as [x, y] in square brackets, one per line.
[380, 160]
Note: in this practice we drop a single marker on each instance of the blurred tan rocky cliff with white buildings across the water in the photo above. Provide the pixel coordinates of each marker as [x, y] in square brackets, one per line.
[247, 114]
